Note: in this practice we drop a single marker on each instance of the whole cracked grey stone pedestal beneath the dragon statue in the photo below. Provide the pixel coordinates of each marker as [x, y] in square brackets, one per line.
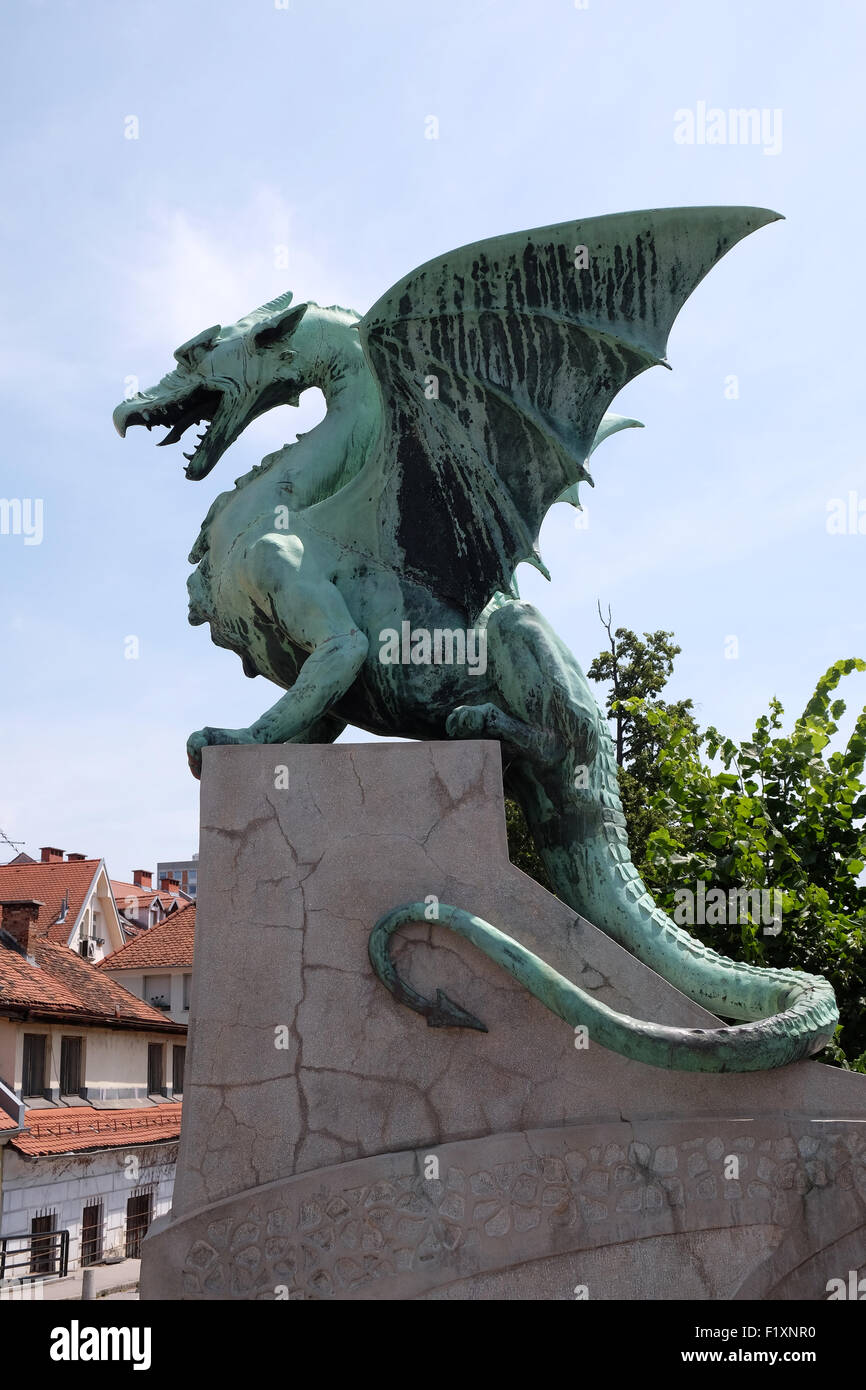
[336, 1147]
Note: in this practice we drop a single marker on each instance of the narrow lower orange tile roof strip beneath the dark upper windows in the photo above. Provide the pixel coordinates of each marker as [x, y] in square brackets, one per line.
[79, 1128]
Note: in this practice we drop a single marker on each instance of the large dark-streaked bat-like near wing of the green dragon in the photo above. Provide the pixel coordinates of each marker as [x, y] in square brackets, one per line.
[496, 366]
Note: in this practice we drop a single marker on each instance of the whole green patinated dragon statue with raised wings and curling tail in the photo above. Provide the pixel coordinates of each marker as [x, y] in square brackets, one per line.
[459, 409]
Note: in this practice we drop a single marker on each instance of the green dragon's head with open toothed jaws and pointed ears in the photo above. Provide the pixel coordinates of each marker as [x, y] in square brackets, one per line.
[227, 377]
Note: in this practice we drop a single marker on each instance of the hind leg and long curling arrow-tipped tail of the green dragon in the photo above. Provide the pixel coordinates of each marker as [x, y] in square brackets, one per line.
[561, 765]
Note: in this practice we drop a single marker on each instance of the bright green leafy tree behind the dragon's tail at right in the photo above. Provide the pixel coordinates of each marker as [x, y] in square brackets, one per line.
[783, 817]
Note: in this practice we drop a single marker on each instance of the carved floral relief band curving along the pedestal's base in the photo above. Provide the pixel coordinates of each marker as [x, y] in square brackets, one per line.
[345, 1238]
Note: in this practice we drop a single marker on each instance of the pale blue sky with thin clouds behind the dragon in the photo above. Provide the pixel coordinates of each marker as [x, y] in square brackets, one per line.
[262, 127]
